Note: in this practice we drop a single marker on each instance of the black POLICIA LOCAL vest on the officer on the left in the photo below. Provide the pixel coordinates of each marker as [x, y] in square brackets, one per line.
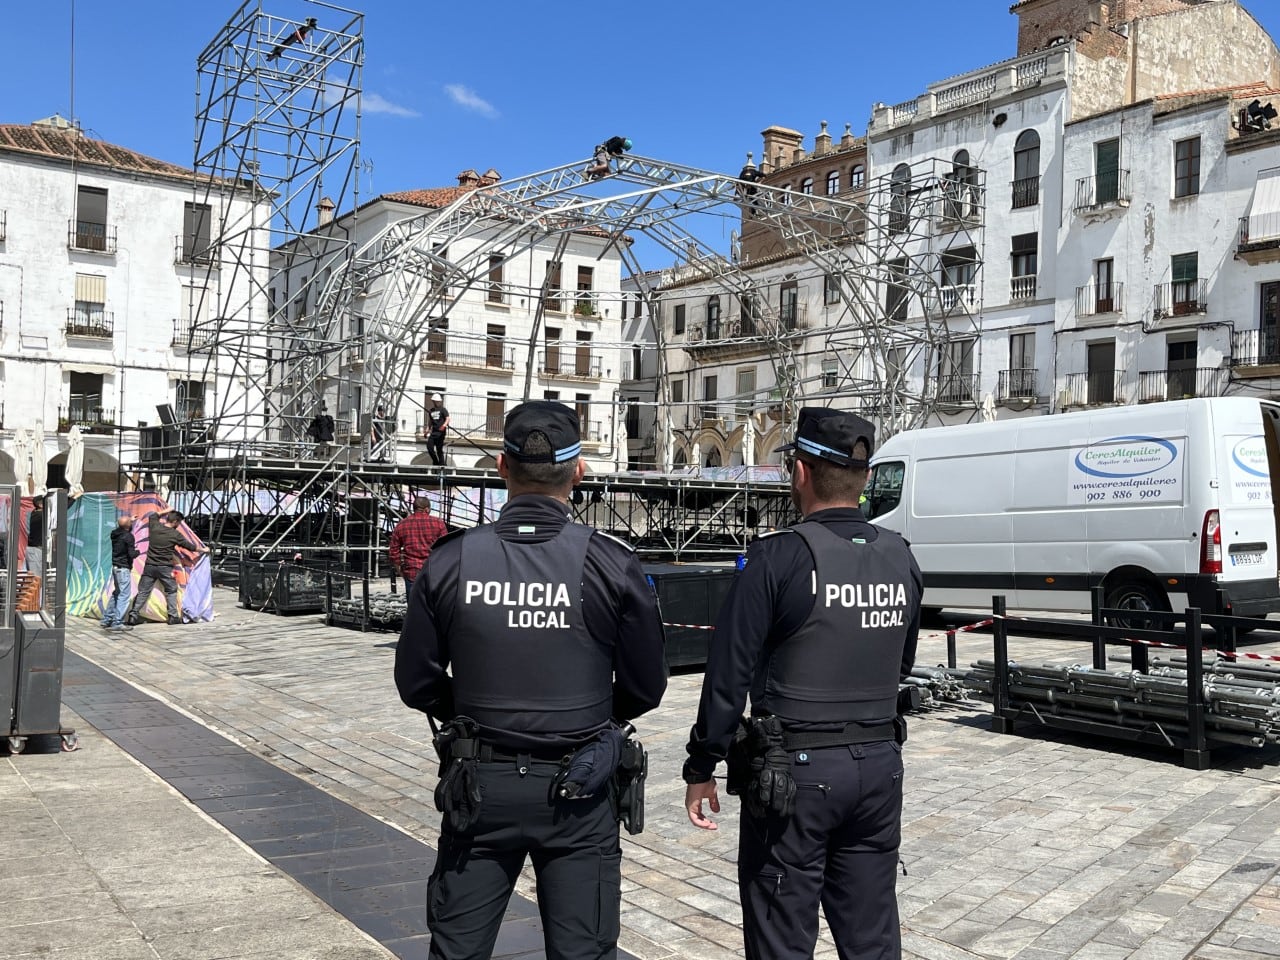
[522, 656]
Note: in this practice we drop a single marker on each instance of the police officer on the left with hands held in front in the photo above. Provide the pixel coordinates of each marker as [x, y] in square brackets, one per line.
[551, 636]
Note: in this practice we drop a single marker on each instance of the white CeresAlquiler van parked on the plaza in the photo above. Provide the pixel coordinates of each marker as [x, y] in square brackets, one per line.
[1164, 505]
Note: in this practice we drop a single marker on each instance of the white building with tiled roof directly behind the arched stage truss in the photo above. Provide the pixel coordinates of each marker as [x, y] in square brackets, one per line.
[499, 342]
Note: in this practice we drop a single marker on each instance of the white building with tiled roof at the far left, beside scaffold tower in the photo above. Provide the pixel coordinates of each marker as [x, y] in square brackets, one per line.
[108, 262]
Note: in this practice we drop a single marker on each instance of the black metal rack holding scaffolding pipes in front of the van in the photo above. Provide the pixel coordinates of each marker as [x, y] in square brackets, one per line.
[1172, 710]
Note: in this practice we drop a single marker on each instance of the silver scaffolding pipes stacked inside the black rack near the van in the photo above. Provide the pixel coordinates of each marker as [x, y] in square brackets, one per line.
[1242, 702]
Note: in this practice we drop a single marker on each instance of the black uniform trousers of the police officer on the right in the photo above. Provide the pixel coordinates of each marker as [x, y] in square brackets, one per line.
[839, 849]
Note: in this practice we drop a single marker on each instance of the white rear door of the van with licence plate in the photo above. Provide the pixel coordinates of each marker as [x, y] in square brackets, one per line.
[1249, 505]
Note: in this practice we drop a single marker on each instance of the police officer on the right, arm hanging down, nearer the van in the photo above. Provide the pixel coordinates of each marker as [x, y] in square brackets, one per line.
[820, 628]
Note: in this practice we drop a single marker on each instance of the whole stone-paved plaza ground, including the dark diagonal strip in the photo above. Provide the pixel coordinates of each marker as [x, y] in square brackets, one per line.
[149, 842]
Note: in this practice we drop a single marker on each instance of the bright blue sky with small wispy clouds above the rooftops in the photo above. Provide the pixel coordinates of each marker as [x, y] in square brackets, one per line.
[523, 86]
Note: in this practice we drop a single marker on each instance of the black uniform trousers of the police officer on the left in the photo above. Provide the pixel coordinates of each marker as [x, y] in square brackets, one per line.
[578, 862]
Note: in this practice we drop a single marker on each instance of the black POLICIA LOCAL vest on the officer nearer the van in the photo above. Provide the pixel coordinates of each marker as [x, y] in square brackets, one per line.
[843, 664]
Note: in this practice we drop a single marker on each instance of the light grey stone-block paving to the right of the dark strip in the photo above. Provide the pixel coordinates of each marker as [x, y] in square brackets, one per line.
[1037, 848]
